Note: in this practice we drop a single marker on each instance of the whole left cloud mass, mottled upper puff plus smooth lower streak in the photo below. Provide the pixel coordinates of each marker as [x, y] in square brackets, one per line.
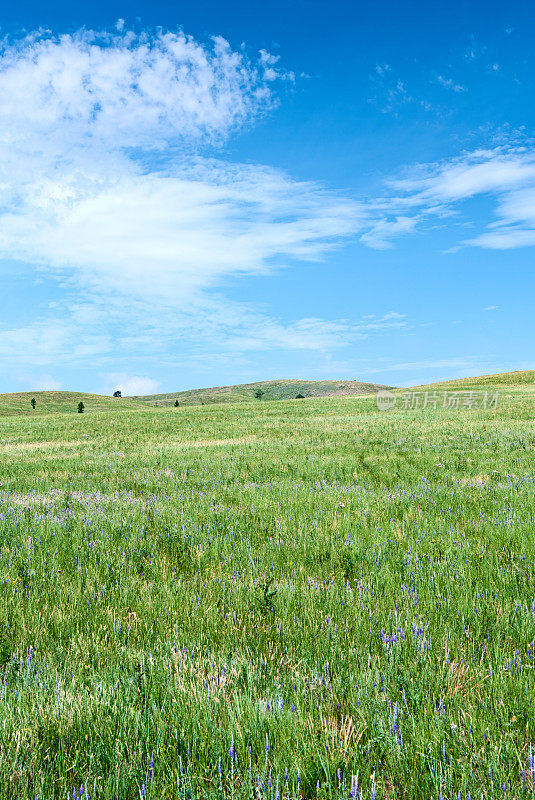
[99, 185]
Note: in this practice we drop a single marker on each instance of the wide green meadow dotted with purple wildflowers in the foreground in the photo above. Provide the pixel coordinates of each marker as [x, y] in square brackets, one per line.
[308, 599]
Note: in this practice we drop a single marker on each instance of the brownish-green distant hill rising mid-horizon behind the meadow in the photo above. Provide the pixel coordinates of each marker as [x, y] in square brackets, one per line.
[272, 390]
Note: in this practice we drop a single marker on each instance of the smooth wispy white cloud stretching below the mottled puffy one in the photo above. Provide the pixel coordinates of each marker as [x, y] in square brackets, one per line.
[186, 228]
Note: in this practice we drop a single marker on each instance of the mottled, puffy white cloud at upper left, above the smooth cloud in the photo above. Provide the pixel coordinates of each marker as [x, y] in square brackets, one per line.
[125, 89]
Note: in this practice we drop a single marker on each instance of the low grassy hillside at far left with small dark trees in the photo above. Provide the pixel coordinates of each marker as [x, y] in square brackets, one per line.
[59, 402]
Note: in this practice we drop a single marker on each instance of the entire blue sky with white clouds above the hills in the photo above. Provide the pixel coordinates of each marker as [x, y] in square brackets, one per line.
[213, 193]
